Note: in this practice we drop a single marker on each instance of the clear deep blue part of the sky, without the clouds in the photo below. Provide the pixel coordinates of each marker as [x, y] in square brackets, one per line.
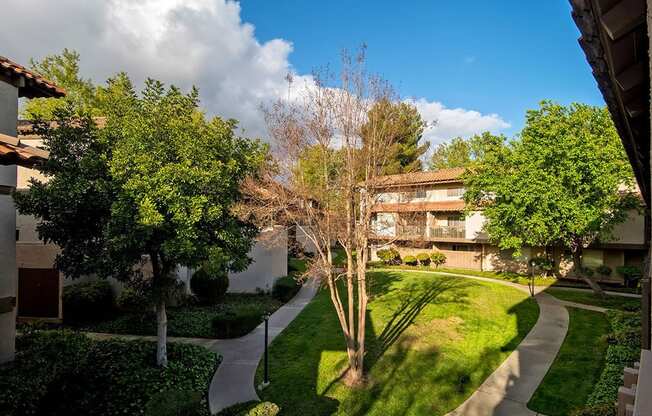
[491, 56]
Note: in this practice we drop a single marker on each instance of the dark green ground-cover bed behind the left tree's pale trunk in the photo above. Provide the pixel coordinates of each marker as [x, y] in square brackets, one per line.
[194, 320]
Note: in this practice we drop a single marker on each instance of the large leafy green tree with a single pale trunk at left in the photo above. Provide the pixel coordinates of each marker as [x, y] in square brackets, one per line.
[154, 186]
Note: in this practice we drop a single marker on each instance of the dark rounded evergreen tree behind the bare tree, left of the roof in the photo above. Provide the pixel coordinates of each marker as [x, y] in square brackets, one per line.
[404, 120]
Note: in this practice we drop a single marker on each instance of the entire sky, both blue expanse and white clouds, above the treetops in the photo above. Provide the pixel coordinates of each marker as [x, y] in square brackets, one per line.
[468, 66]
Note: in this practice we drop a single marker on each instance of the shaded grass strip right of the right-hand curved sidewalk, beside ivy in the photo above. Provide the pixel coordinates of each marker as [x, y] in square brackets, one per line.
[577, 368]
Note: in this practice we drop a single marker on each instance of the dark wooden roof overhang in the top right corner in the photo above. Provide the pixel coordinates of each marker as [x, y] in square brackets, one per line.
[615, 41]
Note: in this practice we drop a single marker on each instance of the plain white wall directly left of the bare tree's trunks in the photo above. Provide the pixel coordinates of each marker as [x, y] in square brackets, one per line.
[269, 256]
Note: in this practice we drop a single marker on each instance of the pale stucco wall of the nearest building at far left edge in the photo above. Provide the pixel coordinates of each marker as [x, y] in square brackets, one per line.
[8, 270]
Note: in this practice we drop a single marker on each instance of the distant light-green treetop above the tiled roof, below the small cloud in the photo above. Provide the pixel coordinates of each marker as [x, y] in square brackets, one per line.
[461, 152]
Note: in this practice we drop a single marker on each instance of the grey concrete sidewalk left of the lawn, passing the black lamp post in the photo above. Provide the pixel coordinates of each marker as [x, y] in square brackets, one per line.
[233, 382]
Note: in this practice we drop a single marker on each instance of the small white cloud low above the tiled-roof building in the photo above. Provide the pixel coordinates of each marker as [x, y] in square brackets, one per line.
[447, 123]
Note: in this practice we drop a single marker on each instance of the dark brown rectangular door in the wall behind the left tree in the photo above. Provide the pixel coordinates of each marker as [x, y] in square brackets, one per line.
[38, 293]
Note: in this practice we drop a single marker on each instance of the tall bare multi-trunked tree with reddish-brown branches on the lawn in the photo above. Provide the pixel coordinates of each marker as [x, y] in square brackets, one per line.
[335, 205]
